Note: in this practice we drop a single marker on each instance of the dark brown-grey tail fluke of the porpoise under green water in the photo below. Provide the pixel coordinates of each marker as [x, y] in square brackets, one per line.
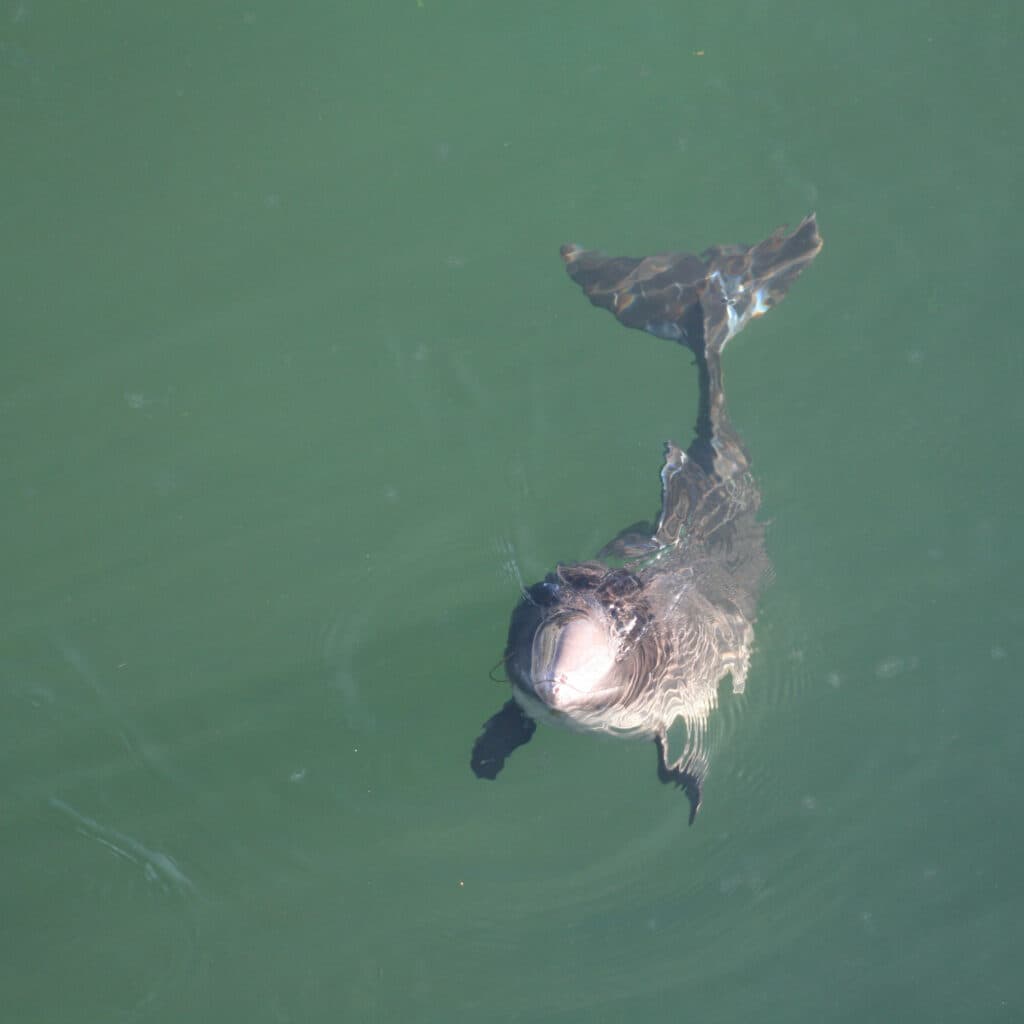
[700, 302]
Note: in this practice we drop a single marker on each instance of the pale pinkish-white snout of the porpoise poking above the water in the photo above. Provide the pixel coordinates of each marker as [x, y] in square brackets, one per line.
[572, 661]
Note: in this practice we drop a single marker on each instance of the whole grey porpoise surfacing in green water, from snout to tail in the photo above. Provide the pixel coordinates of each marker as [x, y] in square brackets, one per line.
[633, 643]
